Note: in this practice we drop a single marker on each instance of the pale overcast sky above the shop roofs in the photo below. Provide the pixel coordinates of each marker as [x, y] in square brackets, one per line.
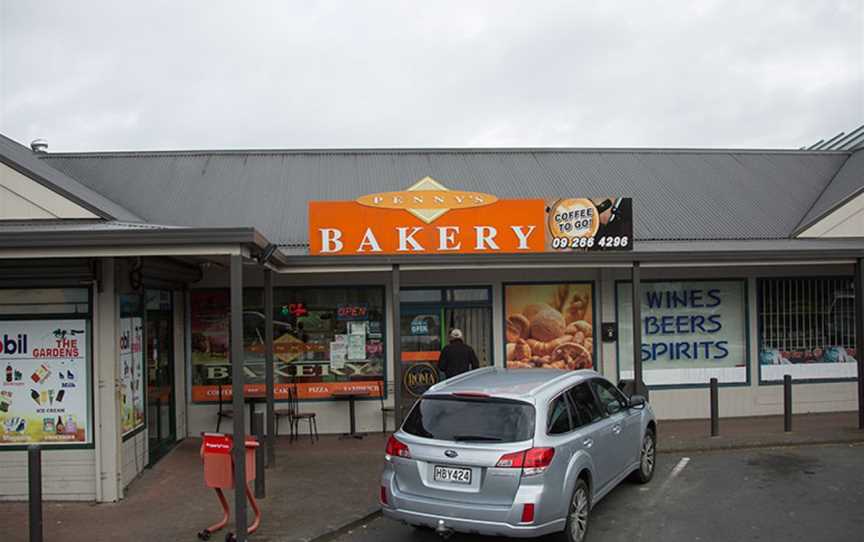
[175, 75]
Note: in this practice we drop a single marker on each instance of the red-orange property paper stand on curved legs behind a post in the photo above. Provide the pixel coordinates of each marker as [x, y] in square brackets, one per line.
[219, 474]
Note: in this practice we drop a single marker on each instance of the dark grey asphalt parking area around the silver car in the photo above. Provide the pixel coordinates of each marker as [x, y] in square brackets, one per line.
[801, 493]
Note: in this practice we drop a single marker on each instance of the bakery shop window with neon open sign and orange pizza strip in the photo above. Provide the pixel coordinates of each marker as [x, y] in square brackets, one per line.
[325, 339]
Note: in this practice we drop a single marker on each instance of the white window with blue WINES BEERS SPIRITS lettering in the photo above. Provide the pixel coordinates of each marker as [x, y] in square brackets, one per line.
[692, 331]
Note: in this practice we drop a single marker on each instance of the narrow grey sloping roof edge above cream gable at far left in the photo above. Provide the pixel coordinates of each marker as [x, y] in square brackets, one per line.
[24, 161]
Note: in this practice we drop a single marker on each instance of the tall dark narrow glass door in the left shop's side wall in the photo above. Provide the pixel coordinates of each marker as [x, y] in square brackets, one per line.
[162, 431]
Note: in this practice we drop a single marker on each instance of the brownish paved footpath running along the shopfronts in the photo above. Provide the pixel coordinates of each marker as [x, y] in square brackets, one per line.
[315, 490]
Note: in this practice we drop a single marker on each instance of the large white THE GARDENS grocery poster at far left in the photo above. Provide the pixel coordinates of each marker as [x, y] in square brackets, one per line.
[44, 390]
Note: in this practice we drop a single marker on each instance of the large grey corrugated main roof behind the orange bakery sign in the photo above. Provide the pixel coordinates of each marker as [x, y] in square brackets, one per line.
[678, 194]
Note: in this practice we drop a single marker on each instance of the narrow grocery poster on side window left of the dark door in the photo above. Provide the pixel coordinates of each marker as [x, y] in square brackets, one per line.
[131, 374]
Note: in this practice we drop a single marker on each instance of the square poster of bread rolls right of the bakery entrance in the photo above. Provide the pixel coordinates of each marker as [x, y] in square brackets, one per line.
[549, 325]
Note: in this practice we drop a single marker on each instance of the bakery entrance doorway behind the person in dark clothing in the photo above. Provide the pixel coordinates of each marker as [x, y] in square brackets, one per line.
[427, 316]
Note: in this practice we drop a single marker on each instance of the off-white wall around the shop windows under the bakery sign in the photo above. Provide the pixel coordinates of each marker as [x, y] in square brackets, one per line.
[752, 399]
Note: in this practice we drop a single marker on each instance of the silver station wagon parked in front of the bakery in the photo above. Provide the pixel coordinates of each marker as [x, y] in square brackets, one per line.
[521, 452]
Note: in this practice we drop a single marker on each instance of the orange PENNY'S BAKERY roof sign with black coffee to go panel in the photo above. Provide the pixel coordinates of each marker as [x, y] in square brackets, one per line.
[428, 218]
